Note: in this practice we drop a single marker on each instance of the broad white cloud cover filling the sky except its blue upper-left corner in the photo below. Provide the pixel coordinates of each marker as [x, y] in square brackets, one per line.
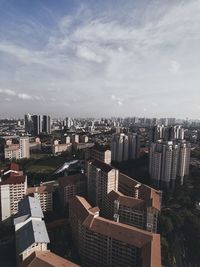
[112, 57]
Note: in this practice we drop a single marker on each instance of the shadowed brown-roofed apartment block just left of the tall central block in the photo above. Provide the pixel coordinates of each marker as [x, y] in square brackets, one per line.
[71, 185]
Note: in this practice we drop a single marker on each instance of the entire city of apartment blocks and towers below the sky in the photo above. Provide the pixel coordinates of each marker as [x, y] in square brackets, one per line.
[76, 188]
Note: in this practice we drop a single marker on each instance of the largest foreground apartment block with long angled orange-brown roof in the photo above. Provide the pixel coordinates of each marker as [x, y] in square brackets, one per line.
[102, 242]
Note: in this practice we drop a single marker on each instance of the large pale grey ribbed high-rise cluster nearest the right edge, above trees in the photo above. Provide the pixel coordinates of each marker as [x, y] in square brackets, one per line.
[167, 161]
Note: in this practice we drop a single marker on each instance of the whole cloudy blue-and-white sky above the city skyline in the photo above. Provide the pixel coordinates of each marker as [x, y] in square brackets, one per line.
[100, 58]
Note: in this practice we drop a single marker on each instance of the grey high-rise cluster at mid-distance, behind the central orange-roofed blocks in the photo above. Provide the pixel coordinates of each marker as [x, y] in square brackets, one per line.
[125, 147]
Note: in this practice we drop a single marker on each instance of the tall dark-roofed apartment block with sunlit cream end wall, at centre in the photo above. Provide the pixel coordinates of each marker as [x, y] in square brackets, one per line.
[101, 179]
